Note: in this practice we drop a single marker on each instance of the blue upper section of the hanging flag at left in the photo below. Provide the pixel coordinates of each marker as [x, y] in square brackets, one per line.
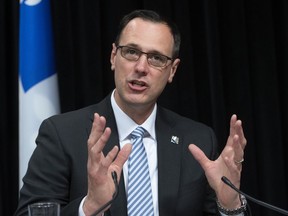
[36, 53]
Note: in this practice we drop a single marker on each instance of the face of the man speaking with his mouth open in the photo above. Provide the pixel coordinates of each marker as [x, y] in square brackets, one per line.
[139, 84]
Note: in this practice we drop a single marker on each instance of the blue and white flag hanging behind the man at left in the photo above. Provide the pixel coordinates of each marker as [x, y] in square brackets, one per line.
[38, 86]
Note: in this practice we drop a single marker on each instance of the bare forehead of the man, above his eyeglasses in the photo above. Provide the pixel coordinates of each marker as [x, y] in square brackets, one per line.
[147, 35]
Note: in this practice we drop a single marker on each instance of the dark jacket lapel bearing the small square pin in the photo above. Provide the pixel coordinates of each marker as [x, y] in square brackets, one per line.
[169, 159]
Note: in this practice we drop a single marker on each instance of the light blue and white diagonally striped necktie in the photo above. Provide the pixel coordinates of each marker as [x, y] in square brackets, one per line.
[139, 201]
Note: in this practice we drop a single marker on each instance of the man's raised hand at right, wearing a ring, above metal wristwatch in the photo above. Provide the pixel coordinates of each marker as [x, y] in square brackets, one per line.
[228, 164]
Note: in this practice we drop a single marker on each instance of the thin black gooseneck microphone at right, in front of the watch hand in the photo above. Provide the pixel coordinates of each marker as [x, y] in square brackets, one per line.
[266, 205]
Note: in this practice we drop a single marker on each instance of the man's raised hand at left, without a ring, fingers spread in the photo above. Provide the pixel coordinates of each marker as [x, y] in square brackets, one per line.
[99, 167]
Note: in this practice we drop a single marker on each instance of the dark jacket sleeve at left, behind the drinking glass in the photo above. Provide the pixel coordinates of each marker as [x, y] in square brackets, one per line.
[48, 177]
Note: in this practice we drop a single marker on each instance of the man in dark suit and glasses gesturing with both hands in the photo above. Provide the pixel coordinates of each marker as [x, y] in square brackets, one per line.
[72, 163]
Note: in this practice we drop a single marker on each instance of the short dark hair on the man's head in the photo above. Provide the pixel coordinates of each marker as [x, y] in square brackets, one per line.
[152, 16]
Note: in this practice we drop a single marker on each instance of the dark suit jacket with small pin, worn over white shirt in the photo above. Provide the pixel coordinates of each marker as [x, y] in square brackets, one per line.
[58, 167]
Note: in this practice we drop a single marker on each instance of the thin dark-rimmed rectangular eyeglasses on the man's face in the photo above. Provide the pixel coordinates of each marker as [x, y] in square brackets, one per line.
[153, 59]
